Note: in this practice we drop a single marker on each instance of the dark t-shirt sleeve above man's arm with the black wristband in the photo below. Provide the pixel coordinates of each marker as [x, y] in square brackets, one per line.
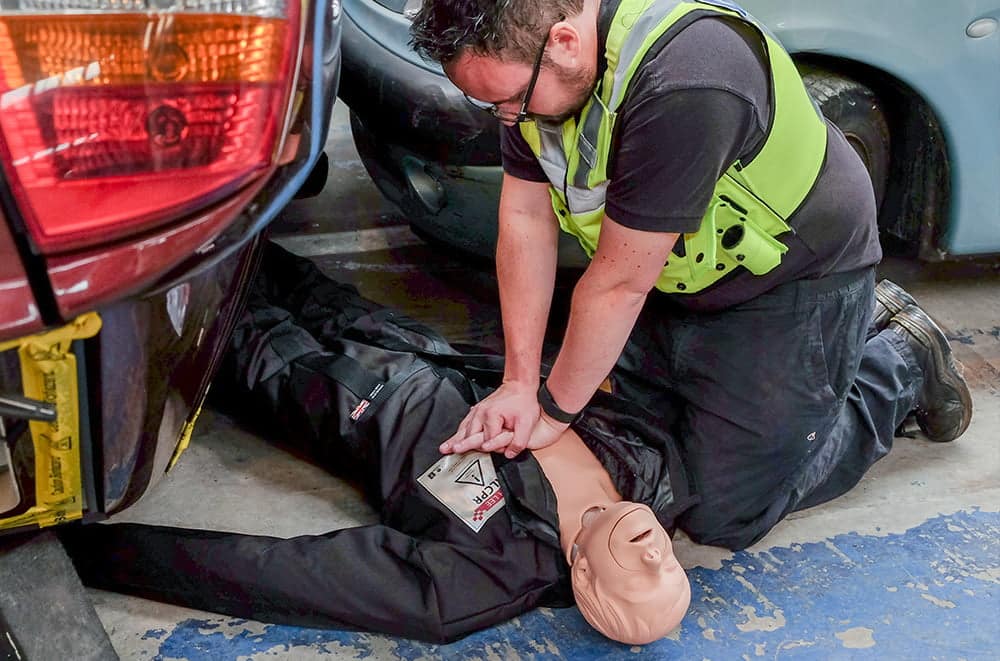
[672, 148]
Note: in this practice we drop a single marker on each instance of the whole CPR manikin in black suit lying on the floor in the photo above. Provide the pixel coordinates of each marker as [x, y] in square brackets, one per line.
[460, 543]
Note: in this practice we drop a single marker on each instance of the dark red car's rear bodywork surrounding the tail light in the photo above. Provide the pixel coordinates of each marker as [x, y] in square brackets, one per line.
[166, 300]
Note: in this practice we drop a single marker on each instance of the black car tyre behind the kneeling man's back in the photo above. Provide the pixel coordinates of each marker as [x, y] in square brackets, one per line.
[857, 112]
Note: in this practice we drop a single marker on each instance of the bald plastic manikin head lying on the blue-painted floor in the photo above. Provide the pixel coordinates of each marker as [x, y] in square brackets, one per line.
[627, 582]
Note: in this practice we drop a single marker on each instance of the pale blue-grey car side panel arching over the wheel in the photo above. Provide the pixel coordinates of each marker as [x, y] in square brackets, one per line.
[928, 47]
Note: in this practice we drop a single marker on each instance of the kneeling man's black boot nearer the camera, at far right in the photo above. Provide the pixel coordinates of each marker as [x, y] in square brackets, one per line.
[944, 403]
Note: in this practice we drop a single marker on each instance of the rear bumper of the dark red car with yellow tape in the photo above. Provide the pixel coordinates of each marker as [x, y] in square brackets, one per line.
[127, 382]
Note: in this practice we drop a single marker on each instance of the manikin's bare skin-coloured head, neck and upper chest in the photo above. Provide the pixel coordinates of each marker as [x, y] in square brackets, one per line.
[627, 583]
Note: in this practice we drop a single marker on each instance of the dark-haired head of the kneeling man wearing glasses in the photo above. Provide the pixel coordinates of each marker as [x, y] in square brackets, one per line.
[489, 49]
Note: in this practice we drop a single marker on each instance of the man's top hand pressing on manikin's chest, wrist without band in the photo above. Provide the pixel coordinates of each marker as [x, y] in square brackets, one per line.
[512, 407]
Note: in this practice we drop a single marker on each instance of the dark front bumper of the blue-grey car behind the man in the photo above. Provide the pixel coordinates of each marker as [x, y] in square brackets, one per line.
[446, 182]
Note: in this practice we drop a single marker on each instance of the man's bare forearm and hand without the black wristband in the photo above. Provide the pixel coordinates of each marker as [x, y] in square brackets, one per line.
[527, 247]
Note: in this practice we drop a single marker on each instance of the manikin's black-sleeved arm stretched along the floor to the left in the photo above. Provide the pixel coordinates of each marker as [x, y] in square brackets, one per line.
[372, 578]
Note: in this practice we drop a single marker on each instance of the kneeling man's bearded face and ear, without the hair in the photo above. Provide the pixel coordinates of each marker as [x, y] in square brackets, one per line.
[565, 80]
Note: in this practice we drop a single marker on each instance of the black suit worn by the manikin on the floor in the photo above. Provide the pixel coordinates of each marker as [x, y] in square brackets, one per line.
[422, 572]
